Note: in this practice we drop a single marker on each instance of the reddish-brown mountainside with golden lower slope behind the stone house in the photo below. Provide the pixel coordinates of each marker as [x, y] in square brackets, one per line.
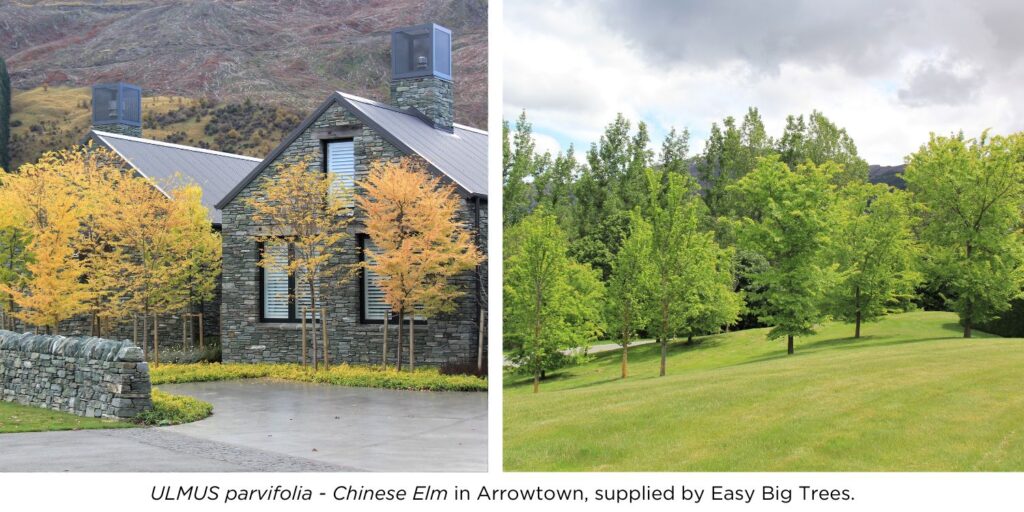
[284, 58]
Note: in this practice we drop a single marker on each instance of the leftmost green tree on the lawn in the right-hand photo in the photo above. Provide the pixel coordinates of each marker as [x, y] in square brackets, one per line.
[539, 296]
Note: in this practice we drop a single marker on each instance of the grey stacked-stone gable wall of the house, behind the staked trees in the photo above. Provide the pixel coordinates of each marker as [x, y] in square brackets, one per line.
[444, 340]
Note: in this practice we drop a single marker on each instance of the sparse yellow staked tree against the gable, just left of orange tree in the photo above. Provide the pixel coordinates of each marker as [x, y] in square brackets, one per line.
[309, 210]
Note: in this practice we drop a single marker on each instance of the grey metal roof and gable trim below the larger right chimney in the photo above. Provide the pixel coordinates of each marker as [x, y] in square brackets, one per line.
[461, 155]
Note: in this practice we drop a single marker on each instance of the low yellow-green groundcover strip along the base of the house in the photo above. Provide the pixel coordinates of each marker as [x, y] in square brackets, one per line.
[343, 375]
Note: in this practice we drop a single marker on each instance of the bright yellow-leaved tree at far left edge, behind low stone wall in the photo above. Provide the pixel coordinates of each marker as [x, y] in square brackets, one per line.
[39, 201]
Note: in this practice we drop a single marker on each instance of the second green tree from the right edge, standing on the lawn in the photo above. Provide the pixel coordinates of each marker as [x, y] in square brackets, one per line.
[875, 248]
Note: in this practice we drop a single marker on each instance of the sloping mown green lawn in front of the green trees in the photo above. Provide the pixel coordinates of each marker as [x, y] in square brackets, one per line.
[911, 396]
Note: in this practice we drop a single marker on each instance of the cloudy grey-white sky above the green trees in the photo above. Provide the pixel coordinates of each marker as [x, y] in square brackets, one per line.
[889, 72]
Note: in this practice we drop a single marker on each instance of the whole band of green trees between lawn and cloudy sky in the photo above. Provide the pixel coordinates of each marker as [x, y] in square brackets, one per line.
[754, 231]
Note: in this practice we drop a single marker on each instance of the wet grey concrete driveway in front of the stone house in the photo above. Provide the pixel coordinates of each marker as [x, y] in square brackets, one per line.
[262, 425]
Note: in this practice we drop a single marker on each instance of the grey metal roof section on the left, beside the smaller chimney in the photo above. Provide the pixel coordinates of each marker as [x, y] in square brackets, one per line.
[216, 173]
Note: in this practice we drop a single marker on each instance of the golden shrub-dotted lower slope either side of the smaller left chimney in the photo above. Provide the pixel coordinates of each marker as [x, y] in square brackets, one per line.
[51, 118]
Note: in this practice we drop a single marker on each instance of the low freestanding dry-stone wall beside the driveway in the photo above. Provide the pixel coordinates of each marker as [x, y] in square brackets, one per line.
[92, 377]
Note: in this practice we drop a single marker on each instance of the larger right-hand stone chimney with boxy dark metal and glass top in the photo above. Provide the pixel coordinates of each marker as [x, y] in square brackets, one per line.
[421, 73]
